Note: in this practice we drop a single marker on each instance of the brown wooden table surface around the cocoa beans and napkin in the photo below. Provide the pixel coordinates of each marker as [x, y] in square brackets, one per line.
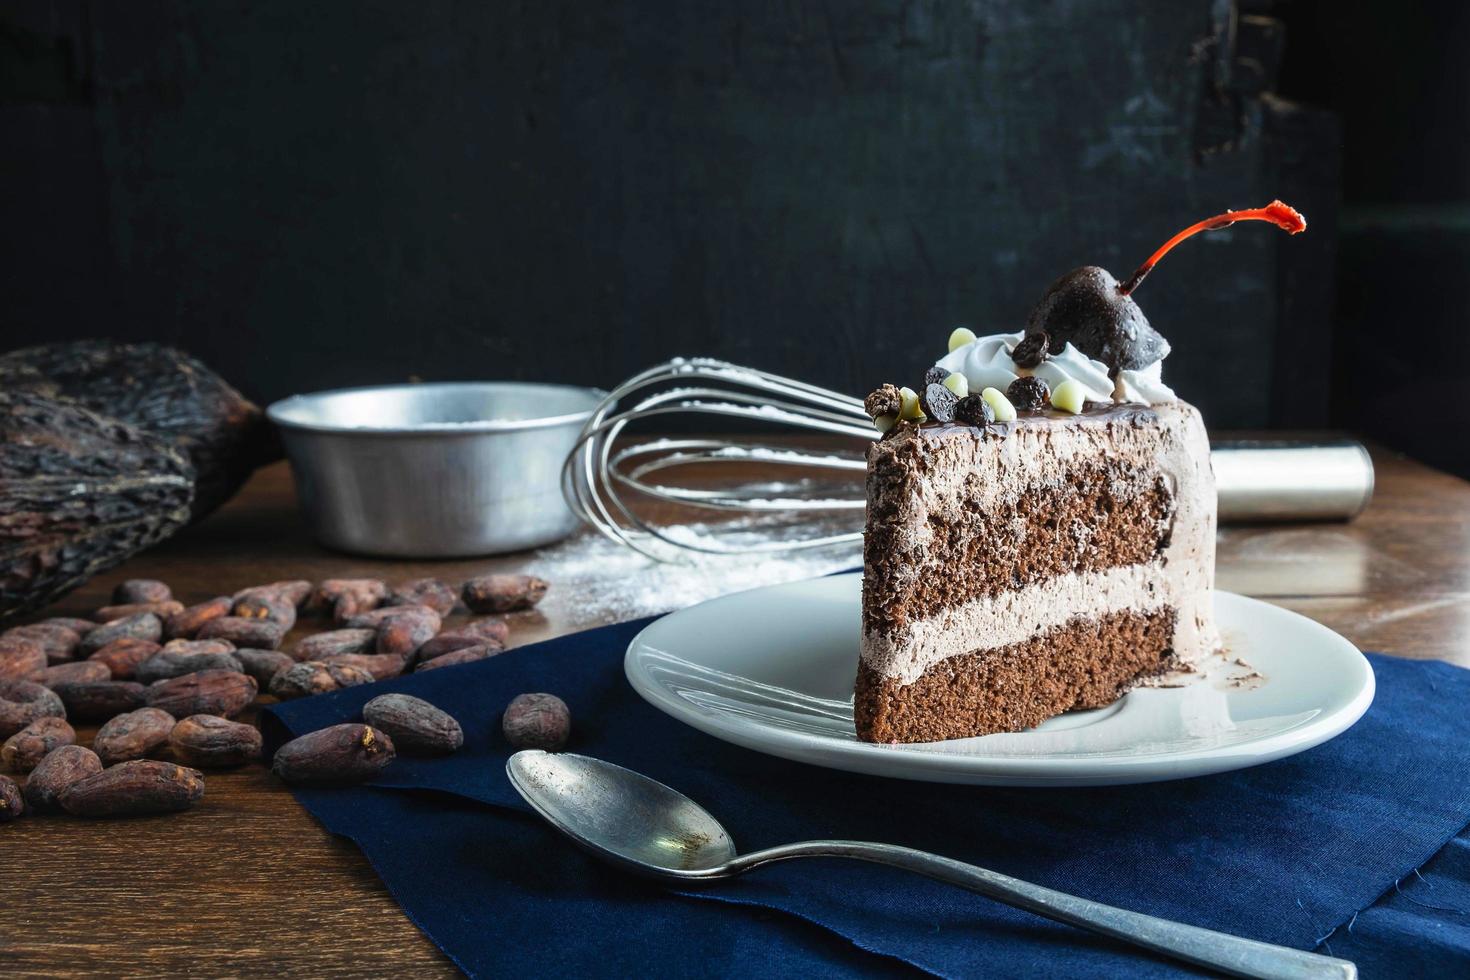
[248, 884]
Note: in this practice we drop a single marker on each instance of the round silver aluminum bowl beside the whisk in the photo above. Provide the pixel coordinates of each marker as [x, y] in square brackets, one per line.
[439, 471]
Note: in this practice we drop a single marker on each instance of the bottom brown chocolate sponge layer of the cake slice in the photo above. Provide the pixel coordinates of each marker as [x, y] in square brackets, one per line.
[1087, 663]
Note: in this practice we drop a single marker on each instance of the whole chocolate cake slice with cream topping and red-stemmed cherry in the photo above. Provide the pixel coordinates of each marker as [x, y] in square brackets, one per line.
[1047, 543]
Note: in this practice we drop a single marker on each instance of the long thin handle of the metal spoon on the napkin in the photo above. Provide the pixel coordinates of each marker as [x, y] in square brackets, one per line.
[1203, 947]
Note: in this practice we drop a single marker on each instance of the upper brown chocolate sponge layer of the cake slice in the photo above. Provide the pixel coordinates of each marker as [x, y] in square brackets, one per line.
[1100, 516]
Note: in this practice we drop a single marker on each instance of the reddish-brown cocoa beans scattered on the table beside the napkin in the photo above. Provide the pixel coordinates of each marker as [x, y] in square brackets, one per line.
[167, 680]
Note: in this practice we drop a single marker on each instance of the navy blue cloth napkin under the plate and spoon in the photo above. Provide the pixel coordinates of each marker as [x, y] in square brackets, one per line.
[1327, 849]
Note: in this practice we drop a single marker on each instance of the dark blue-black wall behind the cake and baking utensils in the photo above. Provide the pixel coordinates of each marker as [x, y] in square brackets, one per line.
[348, 193]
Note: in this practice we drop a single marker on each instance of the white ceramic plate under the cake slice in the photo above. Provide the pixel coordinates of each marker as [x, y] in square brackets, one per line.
[772, 669]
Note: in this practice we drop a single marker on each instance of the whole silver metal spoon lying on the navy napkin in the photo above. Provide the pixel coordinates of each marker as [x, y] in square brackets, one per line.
[648, 828]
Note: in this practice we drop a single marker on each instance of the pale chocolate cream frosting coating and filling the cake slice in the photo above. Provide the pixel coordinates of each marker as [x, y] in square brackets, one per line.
[965, 471]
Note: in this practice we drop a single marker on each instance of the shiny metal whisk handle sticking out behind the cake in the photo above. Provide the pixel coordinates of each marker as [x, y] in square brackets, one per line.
[1291, 480]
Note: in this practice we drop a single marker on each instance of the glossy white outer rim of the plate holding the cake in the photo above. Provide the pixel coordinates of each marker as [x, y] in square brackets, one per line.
[917, 765]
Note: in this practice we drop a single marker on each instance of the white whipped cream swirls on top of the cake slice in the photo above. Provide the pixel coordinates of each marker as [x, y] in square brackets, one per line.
[987, 364]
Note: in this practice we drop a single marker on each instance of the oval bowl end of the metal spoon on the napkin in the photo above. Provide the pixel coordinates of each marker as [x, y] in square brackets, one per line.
[620, 815]
